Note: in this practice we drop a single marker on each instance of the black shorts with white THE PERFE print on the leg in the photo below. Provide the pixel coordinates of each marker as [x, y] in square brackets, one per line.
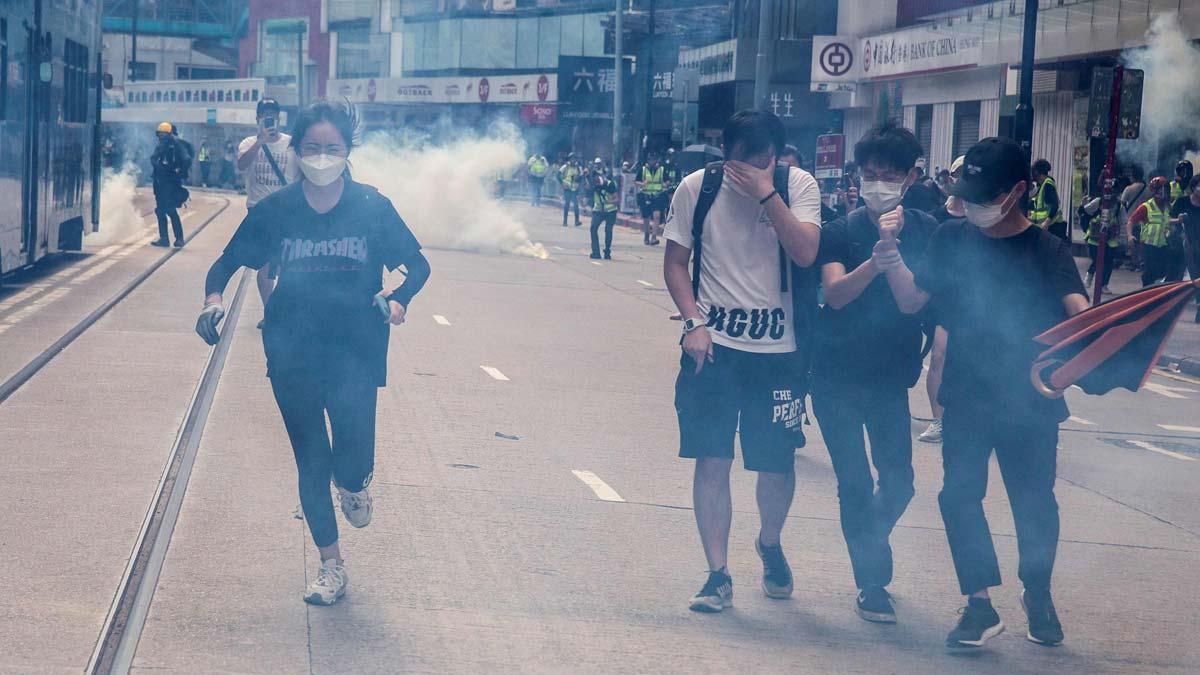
[741, 393]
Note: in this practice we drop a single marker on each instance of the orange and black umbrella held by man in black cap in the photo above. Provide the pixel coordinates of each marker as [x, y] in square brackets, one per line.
[1113, 345]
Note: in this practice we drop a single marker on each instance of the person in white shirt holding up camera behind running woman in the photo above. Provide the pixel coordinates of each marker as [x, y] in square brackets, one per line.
[267, 164]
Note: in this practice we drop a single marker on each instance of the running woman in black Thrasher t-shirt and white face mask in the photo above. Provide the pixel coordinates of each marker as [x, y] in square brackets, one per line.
[328, 321]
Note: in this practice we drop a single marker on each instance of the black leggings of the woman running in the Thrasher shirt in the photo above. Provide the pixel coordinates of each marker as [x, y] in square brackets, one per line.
[351, 404]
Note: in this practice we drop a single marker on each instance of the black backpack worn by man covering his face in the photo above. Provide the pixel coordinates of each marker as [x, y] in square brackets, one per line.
[805, 282]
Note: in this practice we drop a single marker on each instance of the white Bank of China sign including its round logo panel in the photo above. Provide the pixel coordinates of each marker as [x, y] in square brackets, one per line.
[842, 62]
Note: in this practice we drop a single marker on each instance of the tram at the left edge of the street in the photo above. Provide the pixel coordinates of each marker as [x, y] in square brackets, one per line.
[51, 86]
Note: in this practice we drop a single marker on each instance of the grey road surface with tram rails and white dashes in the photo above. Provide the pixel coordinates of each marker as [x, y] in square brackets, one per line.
[531, 513]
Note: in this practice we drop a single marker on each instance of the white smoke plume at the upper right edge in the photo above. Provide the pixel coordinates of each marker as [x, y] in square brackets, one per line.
[1171, 110]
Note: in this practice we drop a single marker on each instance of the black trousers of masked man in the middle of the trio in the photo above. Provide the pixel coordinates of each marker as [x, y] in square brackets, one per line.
[869, 512]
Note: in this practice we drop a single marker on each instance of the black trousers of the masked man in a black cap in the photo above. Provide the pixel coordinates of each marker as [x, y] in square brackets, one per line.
[1027, 451]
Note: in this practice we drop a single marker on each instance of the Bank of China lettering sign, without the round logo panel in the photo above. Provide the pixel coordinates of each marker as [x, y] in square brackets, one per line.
[919, 51]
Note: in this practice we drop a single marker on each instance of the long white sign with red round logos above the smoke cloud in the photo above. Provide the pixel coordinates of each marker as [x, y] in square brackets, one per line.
[507, 89]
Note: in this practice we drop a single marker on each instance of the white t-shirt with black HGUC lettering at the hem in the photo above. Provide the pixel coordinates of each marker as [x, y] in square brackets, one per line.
[740, 276]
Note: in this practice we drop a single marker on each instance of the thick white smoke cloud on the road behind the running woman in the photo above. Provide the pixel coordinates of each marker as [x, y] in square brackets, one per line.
[445, 192]
